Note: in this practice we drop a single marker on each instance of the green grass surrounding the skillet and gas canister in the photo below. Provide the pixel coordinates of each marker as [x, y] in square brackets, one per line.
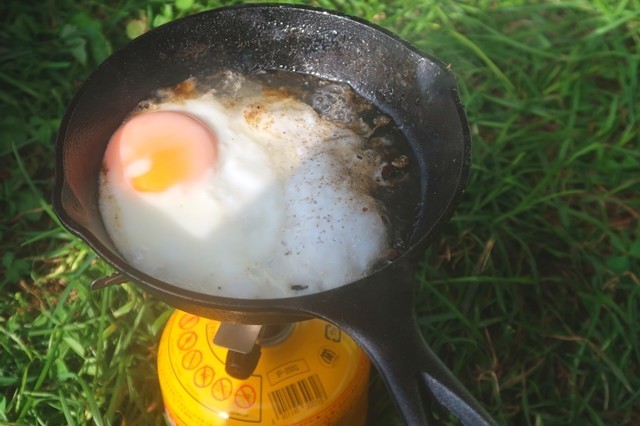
[531, 294]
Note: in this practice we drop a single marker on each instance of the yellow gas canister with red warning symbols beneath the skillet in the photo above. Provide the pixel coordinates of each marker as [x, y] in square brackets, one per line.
[316, 375]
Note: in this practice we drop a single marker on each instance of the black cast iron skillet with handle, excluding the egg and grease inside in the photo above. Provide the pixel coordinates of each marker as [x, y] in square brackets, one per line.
[415, 89]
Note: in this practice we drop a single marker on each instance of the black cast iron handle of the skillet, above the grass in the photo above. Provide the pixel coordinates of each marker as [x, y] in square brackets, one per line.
[382, 321]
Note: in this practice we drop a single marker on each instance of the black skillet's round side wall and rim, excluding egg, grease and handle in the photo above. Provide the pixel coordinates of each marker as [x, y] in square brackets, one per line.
[415, 89]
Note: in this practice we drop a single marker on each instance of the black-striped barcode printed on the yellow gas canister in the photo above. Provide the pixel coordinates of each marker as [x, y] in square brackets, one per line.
[292, 398]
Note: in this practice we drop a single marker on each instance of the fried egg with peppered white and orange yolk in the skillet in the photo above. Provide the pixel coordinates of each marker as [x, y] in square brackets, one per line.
[258, 197]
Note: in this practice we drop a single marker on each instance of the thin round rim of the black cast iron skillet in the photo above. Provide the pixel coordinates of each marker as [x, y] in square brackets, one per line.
[170, 292]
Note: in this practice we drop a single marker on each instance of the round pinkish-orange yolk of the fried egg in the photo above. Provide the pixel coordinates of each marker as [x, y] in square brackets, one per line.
[160, 149]
